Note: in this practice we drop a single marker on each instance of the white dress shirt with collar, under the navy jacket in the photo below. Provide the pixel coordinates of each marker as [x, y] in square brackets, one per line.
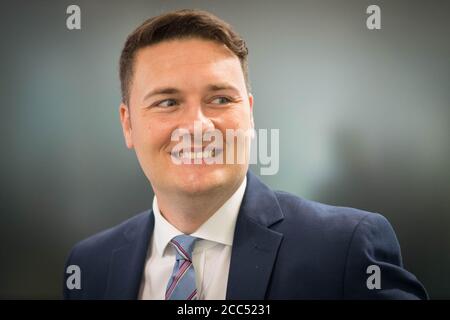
[211, 255]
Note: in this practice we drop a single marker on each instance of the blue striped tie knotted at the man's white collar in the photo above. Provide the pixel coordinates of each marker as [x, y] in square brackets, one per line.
[182, 285]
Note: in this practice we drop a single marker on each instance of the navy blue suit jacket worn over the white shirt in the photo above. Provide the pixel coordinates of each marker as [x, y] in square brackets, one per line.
[284, 247]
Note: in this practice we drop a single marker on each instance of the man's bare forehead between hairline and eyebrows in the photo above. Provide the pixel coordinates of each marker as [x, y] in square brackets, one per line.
[186, 61]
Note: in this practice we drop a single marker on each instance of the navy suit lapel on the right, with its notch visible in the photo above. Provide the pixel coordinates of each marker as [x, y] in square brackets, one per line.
[255, 246]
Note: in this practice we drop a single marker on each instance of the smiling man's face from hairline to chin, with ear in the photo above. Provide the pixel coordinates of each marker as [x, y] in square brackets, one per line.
[198, 81]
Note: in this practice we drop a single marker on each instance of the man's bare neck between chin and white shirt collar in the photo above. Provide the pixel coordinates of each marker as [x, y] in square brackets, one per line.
[188, 212]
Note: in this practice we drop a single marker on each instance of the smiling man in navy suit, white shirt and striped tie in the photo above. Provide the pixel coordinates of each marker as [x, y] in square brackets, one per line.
[215, 230]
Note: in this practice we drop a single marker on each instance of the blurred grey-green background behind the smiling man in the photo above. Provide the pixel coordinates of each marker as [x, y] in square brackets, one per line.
[364, 119]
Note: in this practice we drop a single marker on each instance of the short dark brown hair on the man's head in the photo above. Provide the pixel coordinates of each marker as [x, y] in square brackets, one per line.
[186, 23]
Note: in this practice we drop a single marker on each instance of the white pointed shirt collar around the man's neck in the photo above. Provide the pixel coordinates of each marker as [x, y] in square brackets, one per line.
[218, 228]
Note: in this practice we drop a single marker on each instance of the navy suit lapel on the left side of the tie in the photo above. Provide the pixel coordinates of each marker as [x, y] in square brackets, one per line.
[128, 260]
